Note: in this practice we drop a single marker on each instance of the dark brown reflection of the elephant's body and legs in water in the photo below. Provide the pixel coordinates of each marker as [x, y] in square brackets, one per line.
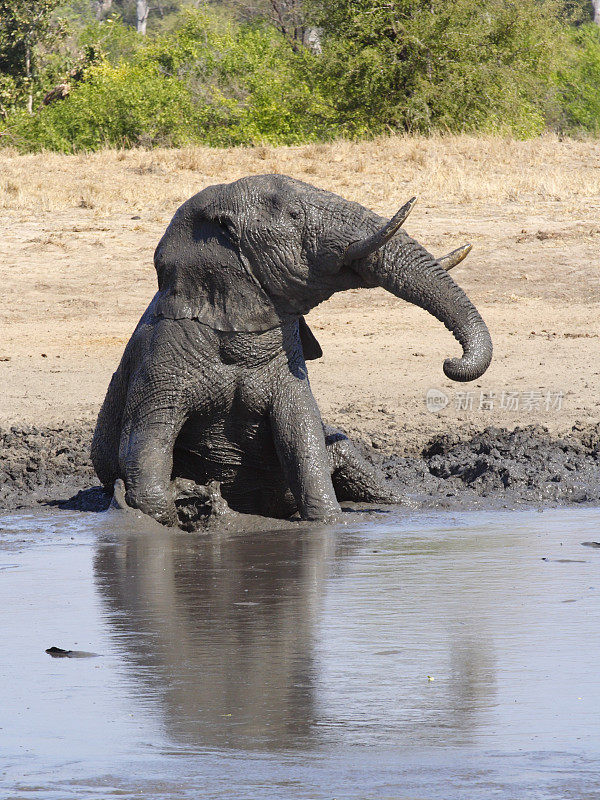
[220, 630]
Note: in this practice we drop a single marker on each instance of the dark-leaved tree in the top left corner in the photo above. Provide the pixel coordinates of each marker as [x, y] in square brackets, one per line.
[24, 26]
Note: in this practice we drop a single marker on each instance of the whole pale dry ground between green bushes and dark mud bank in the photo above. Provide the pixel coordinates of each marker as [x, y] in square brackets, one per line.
[78, 233]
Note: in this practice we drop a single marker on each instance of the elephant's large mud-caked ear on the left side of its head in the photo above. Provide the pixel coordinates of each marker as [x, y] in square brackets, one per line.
[202, 273]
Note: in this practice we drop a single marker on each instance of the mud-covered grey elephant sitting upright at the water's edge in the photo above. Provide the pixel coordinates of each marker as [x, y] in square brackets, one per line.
[213, 384]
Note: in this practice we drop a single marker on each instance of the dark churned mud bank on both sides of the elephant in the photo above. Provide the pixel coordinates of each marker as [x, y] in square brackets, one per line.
[495, 467]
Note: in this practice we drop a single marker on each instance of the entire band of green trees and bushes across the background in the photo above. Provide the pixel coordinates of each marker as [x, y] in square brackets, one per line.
[221, 77]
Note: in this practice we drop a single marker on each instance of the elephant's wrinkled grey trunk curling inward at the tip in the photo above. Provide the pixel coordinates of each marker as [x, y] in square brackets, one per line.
[408, 271]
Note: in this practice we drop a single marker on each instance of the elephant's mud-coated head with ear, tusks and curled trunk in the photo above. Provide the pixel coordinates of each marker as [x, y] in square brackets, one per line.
[255, 254]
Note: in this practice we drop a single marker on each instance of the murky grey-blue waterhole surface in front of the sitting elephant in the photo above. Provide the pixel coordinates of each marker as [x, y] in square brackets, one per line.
[396, 656]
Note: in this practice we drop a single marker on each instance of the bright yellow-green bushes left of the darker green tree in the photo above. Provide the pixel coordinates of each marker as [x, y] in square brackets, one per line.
[208, 82]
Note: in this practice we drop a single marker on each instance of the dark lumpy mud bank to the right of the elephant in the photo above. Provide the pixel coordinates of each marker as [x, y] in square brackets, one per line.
[498, 466]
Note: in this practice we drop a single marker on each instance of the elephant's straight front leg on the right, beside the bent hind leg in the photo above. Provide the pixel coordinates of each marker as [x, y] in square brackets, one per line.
[300, 444]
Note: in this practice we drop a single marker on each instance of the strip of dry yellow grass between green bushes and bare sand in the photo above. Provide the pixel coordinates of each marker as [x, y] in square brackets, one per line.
[441, 169]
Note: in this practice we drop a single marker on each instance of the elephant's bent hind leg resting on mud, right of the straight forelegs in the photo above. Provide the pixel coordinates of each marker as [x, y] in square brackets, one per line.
[354, 478]
